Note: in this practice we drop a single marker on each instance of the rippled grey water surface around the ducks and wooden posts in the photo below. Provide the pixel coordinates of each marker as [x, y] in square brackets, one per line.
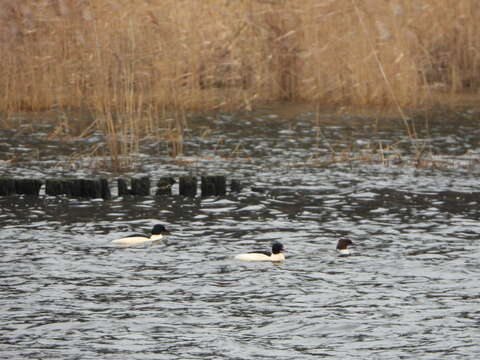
[410, 290]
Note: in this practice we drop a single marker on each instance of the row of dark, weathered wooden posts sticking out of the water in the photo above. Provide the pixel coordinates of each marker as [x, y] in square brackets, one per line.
[99, 188]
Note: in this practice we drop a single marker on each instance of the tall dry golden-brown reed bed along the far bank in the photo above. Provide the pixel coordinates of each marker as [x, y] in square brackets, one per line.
[139, 65]
